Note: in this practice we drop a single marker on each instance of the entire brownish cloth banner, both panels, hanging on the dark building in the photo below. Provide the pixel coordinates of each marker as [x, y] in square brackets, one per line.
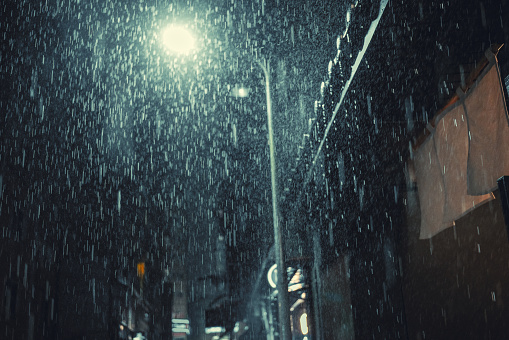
[458, 165]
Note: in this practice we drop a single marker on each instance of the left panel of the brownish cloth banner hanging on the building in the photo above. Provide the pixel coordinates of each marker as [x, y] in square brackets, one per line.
[441, 173]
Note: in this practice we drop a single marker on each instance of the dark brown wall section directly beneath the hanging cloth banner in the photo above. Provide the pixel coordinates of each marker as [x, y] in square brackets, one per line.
[455, 283]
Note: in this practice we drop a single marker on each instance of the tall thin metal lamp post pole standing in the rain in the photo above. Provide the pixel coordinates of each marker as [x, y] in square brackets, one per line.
[281, 284]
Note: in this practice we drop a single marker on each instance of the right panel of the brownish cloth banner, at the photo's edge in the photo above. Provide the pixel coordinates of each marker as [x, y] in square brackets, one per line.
[488, 126]
